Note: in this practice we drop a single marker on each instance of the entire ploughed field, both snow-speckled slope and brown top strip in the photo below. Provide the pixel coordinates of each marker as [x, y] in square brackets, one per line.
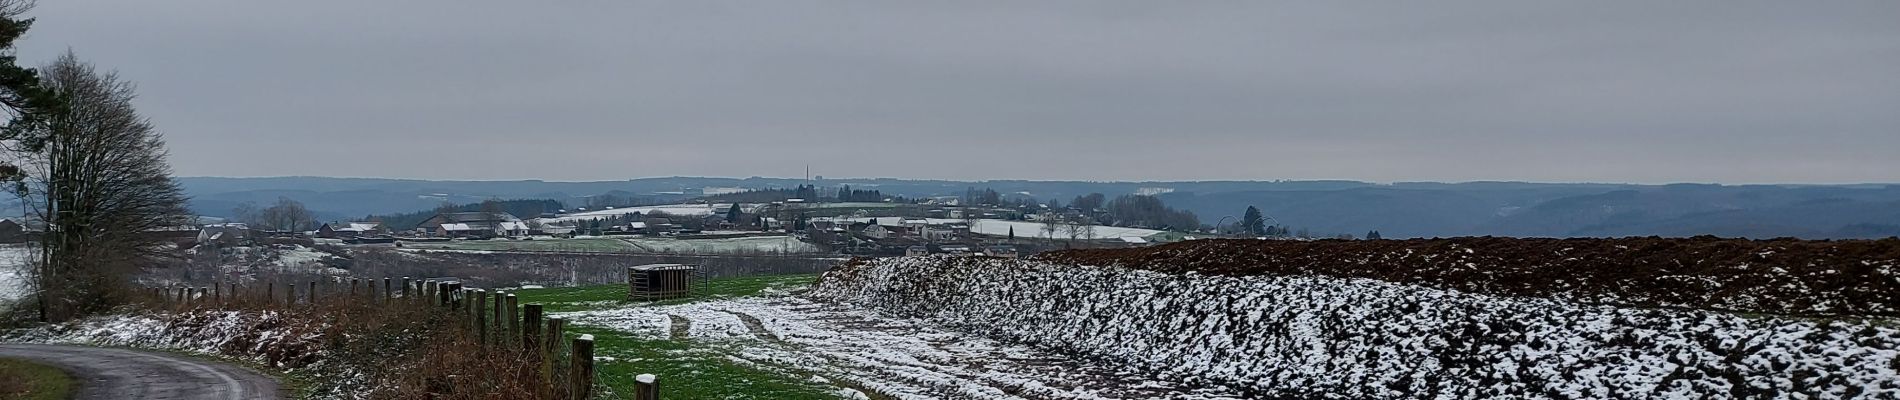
[1443, 318]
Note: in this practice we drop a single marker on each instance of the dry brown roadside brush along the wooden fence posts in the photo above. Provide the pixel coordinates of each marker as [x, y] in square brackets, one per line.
[362, 348]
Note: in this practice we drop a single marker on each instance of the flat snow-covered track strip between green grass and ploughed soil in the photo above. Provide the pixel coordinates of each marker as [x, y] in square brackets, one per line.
[860, 352]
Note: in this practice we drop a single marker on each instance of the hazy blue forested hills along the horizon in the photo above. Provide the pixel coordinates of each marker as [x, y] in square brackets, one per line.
[1409, 209]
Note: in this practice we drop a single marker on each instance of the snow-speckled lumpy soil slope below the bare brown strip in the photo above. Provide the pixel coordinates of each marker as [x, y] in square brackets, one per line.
[1354, 338]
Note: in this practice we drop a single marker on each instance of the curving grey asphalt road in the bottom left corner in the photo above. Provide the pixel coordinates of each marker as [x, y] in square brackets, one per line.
[140, 374]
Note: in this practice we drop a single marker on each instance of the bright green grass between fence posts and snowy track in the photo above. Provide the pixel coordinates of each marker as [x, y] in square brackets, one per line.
[685, 369]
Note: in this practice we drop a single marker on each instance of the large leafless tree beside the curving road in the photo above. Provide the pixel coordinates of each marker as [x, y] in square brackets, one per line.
[100, 183]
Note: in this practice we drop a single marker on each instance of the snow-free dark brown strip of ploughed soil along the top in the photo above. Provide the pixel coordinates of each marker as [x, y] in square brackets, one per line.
[1777, 278]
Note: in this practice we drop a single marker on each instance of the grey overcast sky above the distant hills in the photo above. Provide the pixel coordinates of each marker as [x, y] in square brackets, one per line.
[1549, 92]
